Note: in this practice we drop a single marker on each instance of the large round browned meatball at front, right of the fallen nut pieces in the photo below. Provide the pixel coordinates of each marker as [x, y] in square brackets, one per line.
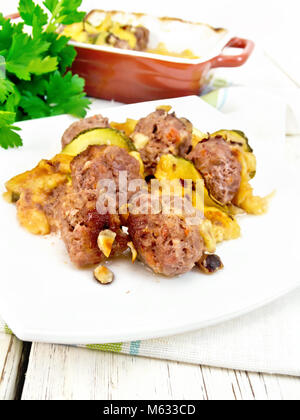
[167, 243]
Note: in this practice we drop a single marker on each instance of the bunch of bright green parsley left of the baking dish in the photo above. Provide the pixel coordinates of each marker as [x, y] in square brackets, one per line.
[34, 81]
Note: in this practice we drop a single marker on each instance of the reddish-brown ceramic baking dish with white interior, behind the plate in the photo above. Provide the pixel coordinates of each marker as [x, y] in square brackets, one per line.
[133, 76]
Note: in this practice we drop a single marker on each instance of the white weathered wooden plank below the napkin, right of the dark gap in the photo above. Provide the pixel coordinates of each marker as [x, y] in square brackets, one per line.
[68, 373]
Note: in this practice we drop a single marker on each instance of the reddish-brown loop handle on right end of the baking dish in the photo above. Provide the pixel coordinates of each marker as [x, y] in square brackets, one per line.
[224, 60]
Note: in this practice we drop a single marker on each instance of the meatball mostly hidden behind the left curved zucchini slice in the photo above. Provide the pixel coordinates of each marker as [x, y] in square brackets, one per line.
[97, 121]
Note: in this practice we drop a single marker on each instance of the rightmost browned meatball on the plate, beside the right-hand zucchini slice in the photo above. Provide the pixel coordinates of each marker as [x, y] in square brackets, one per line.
[219, 167]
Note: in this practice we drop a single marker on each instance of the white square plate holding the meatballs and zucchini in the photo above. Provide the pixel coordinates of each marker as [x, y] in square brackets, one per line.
[44, 298]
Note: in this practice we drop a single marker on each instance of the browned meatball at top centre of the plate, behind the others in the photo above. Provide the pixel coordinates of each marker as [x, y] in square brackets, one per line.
[166, 134]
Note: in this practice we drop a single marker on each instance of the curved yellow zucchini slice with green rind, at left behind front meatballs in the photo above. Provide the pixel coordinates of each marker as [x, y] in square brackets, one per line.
[98, 137]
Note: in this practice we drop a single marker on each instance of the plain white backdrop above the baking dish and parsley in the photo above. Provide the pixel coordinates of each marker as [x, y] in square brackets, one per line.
[272, 23]
